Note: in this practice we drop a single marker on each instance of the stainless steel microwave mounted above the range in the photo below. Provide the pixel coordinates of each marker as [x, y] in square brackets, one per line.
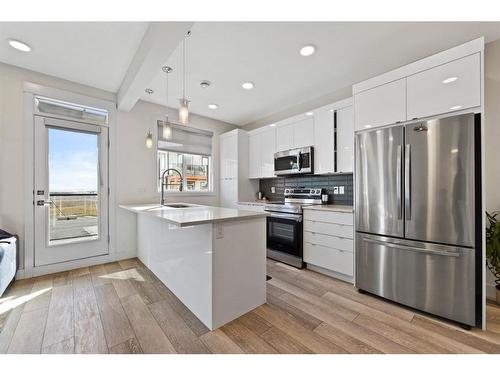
[295, 161]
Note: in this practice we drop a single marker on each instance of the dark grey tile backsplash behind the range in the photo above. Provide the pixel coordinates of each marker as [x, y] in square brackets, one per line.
[326, 182]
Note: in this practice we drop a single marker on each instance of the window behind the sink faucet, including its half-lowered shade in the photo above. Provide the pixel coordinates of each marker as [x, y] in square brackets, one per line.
[187, 150]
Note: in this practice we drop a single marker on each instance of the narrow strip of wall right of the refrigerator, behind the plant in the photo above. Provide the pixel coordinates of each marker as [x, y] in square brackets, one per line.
[492, 135]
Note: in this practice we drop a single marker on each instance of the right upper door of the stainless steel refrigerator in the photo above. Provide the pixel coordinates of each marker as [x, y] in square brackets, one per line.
[440, 180]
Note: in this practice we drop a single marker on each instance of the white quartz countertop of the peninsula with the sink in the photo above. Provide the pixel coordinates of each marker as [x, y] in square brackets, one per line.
[192, 215]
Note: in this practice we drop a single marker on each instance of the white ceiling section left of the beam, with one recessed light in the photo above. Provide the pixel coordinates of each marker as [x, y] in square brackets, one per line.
[97, 54]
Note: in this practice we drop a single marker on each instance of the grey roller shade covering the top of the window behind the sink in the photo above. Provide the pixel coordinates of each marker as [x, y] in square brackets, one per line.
[185, 139]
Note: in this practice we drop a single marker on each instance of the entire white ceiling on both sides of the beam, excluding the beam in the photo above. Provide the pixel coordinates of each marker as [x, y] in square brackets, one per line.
[98, 54]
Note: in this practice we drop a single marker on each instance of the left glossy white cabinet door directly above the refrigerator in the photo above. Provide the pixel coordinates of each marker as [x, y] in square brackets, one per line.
[382, 105]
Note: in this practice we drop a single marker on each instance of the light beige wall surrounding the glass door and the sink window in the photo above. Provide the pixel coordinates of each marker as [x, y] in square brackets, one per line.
[136, 165]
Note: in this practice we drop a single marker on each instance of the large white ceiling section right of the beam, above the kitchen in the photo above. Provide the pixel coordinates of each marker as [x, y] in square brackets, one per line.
[228, 54]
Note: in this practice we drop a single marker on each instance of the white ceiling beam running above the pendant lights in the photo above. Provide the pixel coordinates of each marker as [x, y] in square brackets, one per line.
[159, 42]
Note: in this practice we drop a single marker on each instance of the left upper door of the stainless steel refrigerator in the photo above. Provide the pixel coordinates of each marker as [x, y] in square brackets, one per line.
[379, 182]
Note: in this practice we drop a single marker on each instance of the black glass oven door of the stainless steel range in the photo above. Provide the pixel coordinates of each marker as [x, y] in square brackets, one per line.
[284, 233]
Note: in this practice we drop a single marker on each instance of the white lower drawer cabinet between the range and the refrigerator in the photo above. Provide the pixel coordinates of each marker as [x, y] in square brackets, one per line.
[328, 240]
